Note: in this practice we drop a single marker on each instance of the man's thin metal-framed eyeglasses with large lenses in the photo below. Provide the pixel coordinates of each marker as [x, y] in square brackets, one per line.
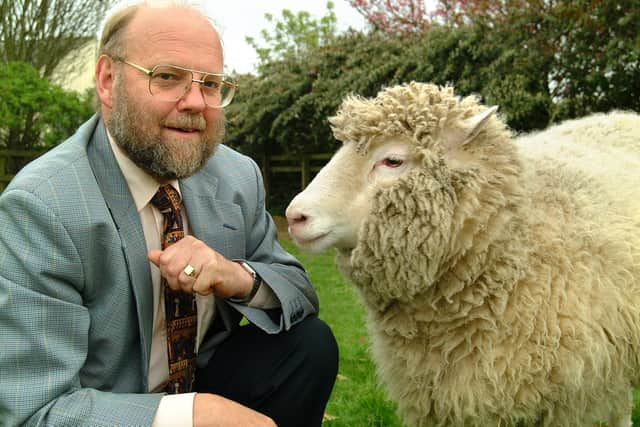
[171, 83]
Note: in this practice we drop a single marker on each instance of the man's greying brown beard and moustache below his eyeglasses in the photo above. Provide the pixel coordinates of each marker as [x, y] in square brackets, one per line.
[152, 153]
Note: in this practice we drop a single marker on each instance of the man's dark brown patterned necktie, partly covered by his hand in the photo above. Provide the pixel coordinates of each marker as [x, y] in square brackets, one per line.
[180, 307]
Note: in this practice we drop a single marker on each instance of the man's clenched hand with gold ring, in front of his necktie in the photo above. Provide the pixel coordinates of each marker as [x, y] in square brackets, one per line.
[214, 274]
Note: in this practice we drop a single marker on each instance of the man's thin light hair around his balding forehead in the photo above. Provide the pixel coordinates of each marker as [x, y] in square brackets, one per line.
[112, 40]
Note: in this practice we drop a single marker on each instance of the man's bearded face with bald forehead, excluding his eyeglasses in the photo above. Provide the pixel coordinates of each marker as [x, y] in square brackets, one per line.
[170, 140]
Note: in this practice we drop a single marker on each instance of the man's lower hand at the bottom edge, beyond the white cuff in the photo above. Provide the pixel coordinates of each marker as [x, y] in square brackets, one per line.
[211, 410]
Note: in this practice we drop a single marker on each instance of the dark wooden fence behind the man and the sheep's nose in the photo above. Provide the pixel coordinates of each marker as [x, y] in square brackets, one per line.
[306, 165]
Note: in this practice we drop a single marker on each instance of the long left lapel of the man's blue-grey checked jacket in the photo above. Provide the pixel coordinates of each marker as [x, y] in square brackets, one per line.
[125, 216]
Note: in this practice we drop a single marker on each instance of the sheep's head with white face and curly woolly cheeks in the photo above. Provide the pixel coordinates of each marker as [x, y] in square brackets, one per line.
[395, 186]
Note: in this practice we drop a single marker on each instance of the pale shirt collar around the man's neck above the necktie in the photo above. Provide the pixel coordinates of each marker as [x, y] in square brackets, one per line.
[142, 185]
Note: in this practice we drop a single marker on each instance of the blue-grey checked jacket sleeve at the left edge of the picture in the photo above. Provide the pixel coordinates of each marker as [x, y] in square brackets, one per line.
[44, 326]
